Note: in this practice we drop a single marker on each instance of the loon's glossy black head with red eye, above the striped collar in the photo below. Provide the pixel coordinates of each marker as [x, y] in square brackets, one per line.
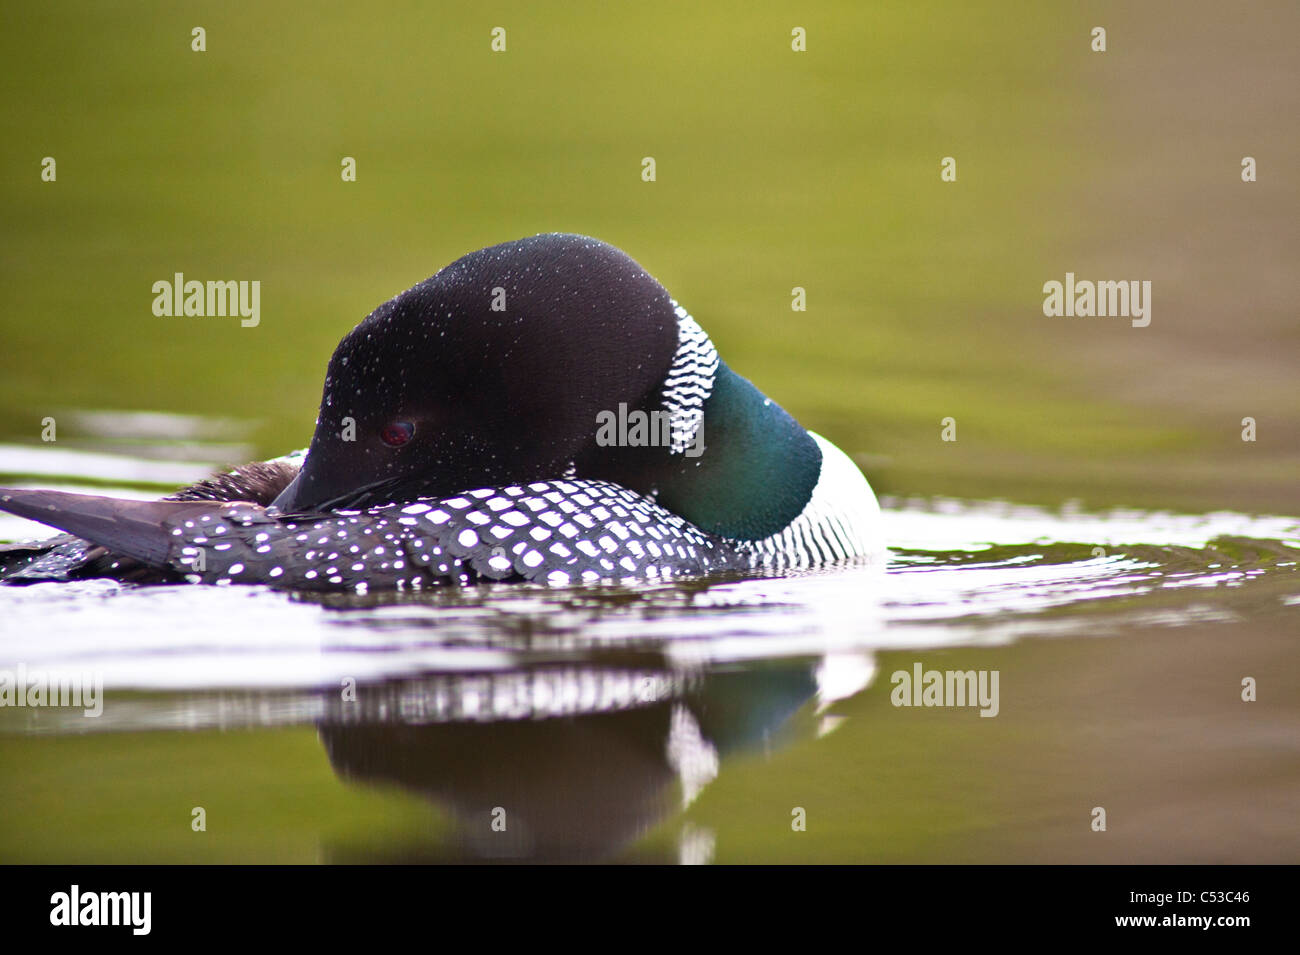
[492, 372]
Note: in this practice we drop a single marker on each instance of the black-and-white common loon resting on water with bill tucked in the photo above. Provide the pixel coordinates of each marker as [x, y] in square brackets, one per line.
[540, 410]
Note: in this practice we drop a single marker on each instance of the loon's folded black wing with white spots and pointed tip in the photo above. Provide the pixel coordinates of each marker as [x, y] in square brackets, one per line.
[557, 532]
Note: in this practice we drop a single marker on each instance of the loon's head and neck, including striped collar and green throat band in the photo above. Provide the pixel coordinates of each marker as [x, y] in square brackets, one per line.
[532, 361]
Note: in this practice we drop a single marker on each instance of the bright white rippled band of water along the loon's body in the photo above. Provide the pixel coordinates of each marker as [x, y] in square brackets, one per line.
[959, 574]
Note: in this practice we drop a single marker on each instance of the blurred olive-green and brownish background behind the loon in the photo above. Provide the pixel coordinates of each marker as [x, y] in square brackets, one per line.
[775, 170]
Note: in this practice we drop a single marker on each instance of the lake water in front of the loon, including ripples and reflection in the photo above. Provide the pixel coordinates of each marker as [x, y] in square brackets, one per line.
[688, 722]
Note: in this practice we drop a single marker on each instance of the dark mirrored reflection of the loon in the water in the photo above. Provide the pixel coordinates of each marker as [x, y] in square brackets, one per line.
[567, 765]
